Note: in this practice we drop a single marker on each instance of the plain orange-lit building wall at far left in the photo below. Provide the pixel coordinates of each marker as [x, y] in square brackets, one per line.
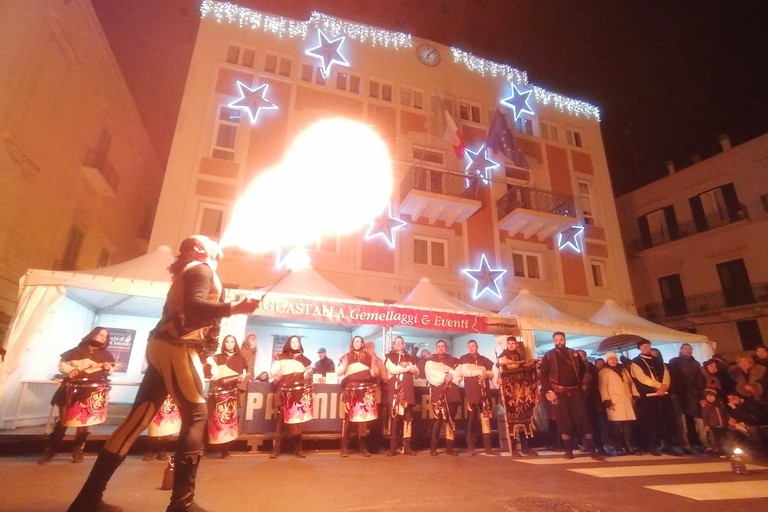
[79, 180]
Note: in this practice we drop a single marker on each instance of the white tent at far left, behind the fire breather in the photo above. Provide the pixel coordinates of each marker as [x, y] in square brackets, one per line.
[55, 304]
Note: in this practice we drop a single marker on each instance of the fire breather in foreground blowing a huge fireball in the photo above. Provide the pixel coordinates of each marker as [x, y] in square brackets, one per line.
[186, 335]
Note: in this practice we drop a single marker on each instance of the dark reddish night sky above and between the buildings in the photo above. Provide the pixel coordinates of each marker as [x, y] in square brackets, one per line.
[668, 76]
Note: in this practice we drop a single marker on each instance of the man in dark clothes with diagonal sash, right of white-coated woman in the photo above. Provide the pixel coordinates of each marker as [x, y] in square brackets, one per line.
[655, 412]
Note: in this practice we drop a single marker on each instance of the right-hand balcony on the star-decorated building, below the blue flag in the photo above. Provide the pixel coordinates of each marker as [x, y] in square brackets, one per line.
[534, 212]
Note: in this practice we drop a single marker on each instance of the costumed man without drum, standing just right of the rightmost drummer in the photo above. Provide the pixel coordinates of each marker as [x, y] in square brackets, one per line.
[401, 367]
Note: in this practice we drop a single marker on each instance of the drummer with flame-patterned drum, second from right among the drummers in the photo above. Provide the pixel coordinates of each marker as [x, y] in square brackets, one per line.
[292, 381]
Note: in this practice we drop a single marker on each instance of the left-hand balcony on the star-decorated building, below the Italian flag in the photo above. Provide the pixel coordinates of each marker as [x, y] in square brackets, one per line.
[437, 195]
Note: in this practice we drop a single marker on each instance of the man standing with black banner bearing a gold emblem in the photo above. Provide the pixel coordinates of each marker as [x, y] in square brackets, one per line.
[518, 384]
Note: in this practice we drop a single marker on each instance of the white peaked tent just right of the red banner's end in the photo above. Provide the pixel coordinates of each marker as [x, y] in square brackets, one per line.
[538, 320]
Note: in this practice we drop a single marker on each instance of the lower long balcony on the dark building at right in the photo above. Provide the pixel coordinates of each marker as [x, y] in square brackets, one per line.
[708, 302]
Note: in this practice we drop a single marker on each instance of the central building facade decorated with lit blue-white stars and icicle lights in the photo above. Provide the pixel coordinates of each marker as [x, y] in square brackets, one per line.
[528, 205]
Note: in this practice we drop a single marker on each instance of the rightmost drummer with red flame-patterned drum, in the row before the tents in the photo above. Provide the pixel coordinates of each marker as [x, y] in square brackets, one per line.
[359, 393]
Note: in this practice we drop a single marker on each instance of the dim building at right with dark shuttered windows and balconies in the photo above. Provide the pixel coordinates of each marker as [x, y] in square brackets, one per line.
[695, 246]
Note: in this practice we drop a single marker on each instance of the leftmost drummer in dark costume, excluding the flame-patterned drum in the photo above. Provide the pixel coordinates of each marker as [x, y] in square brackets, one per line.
[90, 361]
